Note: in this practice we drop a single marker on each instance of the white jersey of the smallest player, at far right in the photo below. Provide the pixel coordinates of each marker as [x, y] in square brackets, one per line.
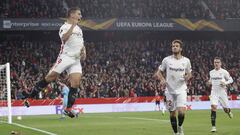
[216, 76]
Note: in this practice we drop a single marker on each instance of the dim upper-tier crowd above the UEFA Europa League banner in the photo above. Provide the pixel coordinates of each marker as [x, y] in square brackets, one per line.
[214, 9]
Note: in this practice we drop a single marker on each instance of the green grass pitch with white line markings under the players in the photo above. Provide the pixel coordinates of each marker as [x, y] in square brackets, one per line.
[125, 123]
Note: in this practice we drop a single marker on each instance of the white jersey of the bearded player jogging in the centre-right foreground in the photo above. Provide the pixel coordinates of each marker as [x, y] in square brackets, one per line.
[175, 71]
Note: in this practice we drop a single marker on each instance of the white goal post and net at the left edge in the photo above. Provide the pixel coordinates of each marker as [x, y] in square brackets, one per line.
[5, 94]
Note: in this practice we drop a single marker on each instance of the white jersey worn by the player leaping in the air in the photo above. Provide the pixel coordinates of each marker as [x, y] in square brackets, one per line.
[75, 42]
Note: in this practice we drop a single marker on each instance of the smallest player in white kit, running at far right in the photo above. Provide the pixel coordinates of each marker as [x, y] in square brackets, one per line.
[219, 78]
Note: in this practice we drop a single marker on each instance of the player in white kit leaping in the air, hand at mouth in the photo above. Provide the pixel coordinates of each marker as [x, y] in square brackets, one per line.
[72, 50]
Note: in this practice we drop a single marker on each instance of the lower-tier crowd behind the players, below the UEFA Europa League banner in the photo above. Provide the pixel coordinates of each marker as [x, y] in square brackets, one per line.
[118, 68]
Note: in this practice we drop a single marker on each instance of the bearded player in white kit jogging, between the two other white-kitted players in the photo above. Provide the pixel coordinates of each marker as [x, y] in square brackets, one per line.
[178, 72]
